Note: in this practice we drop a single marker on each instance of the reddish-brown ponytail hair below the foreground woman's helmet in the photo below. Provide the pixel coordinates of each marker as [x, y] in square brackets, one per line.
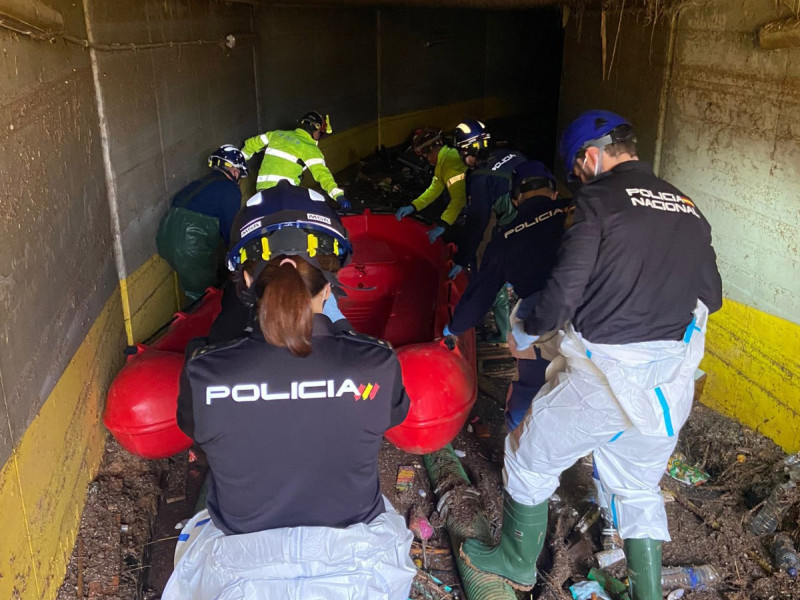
[284, 293]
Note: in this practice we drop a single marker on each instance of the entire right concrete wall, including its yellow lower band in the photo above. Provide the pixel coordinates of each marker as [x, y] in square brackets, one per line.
[729, 139]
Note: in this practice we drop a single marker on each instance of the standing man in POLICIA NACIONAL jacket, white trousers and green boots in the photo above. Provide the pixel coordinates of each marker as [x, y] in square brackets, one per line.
[629, 297]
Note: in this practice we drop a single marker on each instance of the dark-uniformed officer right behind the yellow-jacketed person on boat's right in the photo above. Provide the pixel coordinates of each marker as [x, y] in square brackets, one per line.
[488, 195]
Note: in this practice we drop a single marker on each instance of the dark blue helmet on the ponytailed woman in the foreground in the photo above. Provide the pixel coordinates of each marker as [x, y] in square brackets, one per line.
[287, 219]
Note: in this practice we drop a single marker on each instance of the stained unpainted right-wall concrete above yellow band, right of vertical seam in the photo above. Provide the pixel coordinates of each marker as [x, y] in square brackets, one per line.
[733, 137]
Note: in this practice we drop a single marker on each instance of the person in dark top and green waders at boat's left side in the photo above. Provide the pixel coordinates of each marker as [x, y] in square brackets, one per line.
[194, 233]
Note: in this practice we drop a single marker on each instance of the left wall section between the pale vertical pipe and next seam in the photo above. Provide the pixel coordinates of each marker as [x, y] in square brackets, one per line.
[167, 109]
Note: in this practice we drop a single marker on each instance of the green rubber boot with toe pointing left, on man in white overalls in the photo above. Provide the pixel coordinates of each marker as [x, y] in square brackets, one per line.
[514, 559]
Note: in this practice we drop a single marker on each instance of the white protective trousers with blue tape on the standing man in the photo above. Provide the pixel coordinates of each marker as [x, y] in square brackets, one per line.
[626, 404]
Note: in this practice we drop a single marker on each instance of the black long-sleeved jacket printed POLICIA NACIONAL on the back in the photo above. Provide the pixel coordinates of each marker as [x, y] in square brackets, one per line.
[633, 264]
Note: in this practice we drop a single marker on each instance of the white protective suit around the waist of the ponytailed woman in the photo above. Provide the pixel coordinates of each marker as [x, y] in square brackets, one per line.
[363, 561]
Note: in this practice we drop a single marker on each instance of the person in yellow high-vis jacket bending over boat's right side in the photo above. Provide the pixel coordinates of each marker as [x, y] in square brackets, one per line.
[449, 174]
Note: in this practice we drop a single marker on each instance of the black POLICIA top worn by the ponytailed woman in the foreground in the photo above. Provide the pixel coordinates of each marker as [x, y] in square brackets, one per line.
[292, 441]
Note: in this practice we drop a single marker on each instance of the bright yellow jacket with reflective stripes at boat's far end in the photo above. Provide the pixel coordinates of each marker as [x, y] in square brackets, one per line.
[286, 155]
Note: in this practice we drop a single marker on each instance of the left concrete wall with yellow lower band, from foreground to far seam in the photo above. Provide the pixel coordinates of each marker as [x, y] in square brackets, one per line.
[63, 296]
